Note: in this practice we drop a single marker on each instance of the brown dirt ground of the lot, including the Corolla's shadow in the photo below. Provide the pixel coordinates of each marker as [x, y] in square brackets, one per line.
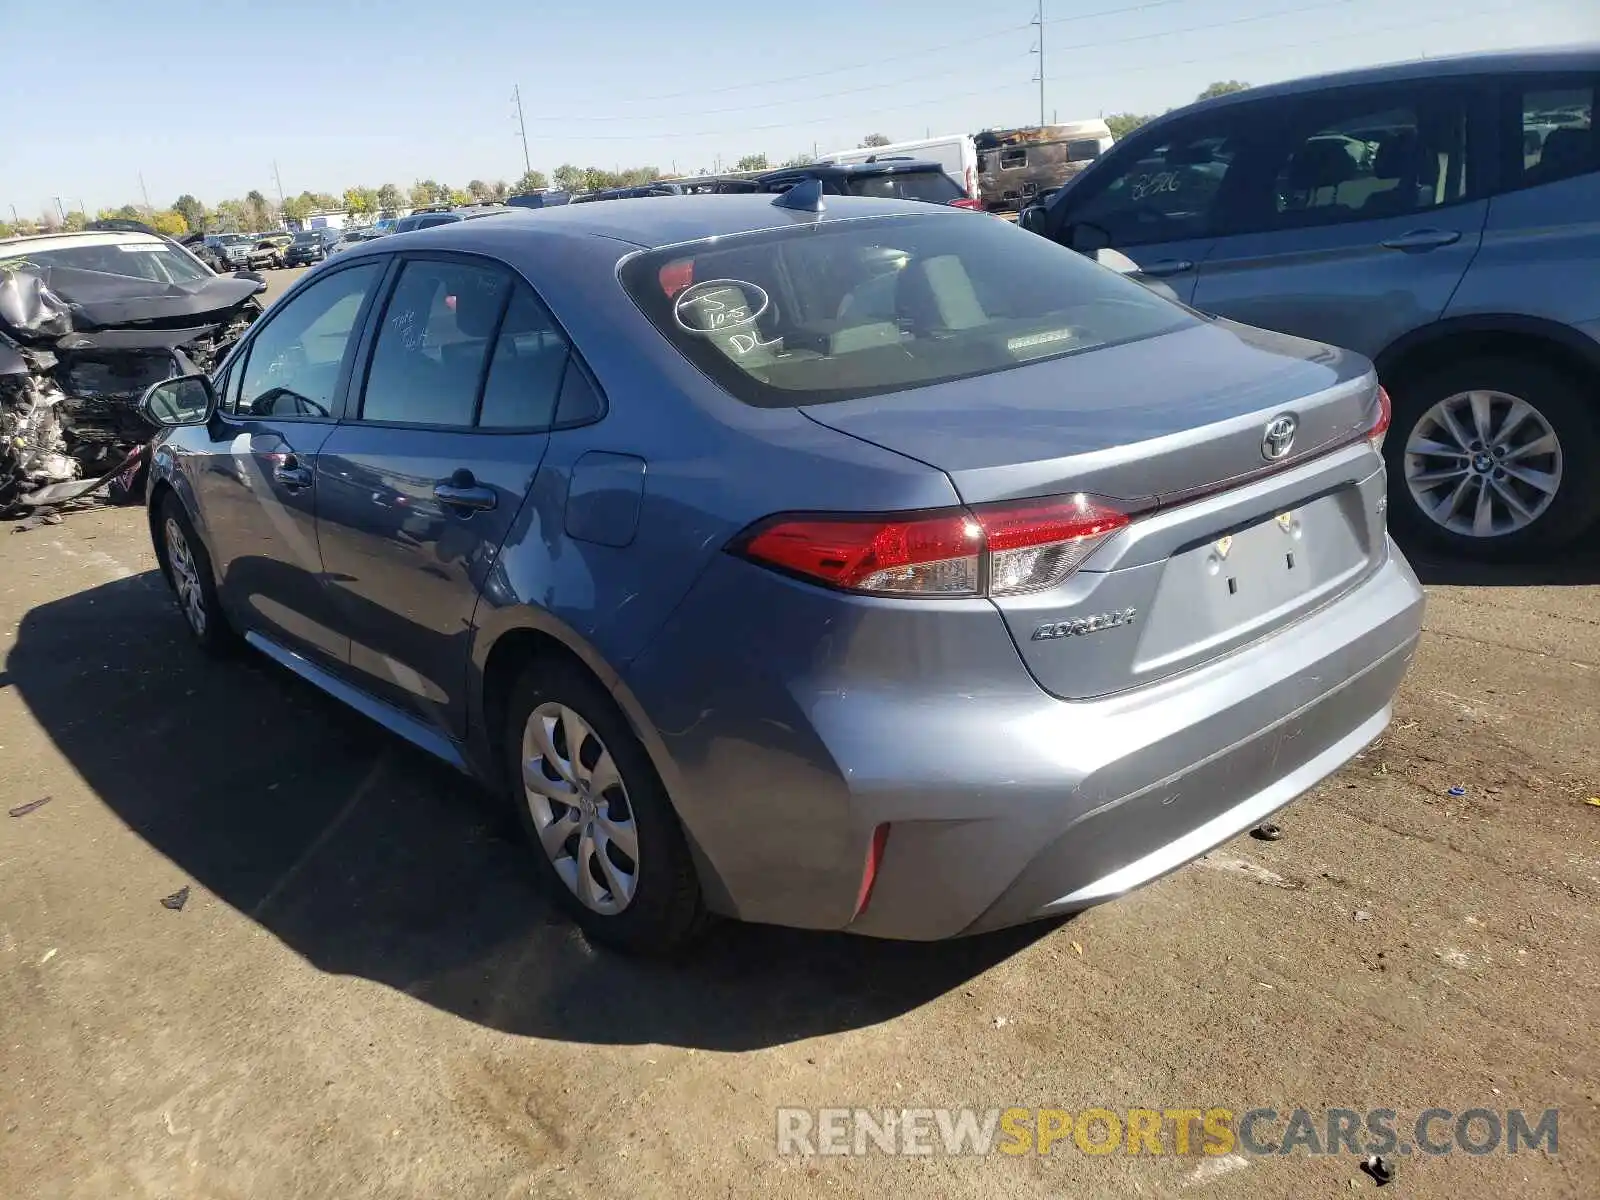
[366, 998]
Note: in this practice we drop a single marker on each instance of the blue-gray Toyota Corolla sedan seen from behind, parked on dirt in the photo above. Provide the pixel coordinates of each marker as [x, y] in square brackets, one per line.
[873, 569]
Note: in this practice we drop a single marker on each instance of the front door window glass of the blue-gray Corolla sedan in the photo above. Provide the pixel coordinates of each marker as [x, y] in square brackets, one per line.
[294, 362]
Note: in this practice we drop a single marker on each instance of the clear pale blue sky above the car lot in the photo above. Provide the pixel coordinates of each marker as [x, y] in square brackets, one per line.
[345, 95]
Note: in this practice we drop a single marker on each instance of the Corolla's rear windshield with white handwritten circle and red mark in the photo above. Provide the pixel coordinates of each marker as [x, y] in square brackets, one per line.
[860, 308]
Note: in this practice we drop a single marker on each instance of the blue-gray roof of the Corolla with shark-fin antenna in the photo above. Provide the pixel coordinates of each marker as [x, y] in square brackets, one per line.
[650, 222]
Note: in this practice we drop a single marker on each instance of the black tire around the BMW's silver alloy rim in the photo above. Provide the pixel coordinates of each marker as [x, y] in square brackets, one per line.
[1572, 412]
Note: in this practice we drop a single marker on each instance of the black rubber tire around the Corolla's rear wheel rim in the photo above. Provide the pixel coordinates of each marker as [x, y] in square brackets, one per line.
[666, 911]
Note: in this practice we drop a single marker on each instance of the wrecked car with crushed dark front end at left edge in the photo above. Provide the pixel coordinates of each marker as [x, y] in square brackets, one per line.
[89, 322]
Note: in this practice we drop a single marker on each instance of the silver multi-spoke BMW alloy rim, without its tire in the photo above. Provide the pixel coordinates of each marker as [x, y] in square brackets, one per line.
[1484, 463]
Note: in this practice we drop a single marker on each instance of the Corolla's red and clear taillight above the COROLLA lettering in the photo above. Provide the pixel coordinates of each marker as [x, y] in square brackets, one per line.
[993, 550]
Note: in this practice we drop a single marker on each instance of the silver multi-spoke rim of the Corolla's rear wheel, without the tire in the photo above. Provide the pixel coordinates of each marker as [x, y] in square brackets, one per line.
[580, 809]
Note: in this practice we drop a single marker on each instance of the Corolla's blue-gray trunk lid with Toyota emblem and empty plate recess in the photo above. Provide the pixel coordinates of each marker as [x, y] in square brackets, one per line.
[1231, 540]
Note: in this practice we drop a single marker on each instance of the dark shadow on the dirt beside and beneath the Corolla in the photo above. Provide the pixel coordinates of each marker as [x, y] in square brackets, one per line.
[369, 858]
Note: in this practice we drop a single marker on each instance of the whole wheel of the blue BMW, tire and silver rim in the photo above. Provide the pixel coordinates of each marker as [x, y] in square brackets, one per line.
[1494, 458]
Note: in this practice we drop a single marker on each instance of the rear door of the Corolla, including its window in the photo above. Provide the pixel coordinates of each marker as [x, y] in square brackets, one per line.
[426, 476]
